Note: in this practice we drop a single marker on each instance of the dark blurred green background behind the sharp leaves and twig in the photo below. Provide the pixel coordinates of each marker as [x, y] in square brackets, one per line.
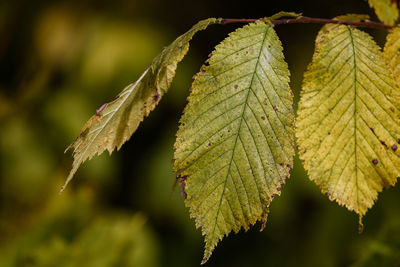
[60, 60]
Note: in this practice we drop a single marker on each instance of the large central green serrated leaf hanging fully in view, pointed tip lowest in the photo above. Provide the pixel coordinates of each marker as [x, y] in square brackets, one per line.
[235, 143]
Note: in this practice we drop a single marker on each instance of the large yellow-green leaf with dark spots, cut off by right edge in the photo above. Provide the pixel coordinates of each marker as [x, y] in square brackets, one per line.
[348, 119]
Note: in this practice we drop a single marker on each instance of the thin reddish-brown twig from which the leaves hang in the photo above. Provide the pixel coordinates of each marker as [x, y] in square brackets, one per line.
[301, 19]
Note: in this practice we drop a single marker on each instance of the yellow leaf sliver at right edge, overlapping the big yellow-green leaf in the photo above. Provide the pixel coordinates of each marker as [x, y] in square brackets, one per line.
[392, 53]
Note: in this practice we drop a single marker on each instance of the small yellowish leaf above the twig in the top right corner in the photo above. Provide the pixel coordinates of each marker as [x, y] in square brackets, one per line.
[386, 10]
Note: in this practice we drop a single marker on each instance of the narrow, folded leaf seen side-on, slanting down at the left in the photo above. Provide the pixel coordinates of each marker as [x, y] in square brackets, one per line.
[116, 121]
